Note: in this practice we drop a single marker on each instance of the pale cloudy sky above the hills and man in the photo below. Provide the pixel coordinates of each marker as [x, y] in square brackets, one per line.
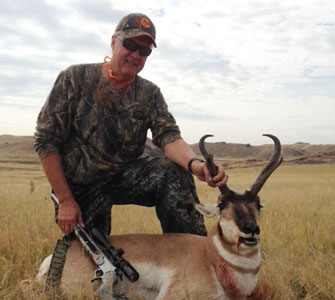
[235, 69]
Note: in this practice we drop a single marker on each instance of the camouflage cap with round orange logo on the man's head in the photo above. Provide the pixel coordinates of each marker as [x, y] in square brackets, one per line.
[137, 24]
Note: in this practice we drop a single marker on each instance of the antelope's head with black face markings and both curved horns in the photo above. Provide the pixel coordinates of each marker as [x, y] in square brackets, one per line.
[238, 213]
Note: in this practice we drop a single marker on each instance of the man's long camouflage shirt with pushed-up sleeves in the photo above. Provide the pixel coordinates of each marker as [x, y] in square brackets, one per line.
[97, 130]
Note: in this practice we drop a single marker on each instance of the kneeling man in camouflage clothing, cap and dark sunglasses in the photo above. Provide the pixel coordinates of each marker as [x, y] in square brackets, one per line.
[92, 131]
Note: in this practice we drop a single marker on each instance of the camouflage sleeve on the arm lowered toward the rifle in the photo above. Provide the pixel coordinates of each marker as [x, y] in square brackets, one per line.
[54, 119]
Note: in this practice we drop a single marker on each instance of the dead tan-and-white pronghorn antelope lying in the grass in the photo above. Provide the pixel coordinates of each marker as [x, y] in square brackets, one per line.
[223, 265]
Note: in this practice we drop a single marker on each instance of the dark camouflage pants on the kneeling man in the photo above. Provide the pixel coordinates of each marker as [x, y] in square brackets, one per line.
[149, 181]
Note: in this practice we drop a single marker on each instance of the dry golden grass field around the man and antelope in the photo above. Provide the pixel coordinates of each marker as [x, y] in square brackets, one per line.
[297, 227]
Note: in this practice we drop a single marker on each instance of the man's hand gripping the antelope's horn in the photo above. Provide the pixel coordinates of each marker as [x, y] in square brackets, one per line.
[200, 170]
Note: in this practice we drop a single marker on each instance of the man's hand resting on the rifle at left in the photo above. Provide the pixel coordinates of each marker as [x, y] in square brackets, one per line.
[68, 215]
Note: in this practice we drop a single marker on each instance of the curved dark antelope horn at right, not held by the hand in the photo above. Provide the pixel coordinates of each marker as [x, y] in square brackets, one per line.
[272, 165]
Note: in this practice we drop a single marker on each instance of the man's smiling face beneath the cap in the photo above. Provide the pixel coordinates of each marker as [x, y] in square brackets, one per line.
[126, 64]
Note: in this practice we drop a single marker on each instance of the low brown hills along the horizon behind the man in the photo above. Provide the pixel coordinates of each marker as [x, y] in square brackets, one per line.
[21, 147]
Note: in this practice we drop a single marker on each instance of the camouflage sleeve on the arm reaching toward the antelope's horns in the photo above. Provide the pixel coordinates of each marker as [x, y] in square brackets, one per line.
[163, 125]
